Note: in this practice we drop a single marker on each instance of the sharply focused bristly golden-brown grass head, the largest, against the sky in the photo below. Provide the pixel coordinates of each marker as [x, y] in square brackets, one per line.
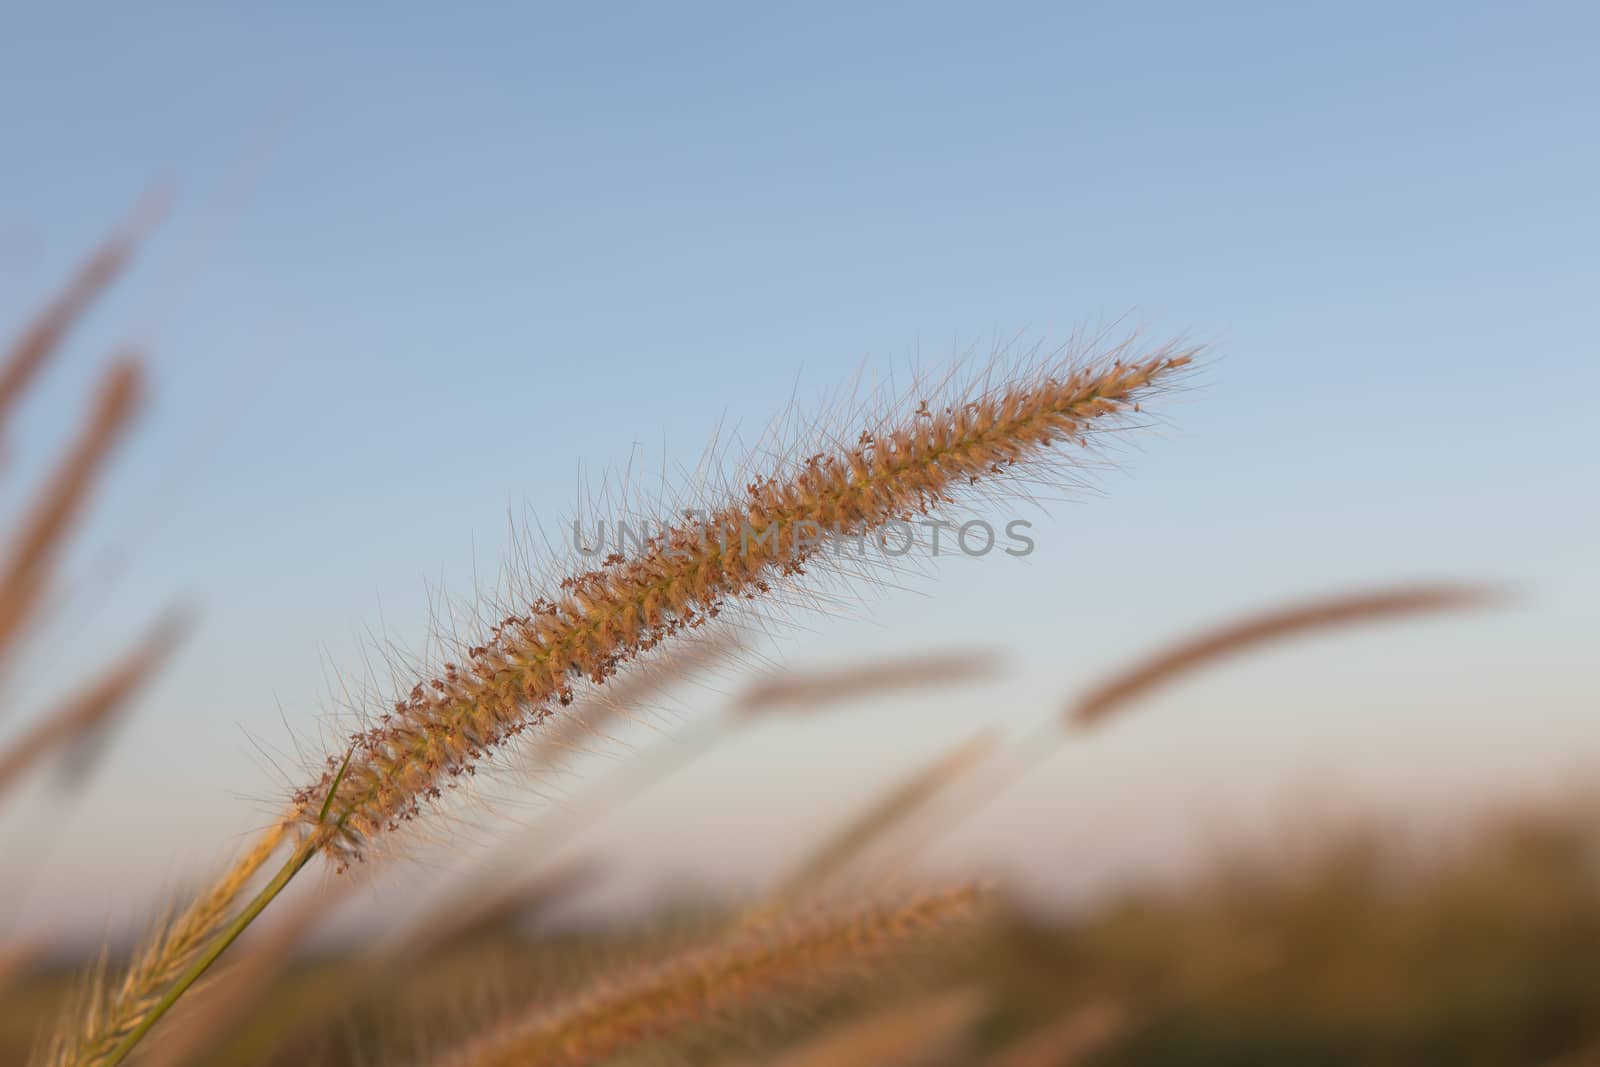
[743, 549]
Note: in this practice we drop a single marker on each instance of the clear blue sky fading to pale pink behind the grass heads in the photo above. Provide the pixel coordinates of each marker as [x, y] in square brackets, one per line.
[426, 268]
